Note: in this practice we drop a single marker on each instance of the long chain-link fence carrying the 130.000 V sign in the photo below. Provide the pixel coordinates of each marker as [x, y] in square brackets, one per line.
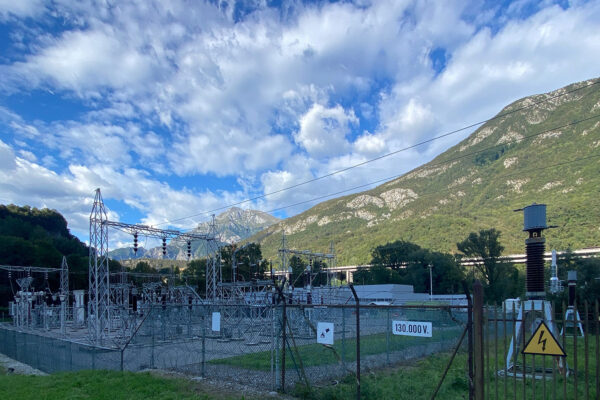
[250, 345]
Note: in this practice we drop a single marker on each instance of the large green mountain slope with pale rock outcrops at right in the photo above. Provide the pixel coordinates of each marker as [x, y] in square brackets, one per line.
[544, 153]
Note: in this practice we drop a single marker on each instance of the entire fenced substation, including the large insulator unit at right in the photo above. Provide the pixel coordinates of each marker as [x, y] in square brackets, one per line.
[266, 328]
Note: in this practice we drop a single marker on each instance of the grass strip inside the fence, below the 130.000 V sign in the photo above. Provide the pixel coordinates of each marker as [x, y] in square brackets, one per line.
[317, 354]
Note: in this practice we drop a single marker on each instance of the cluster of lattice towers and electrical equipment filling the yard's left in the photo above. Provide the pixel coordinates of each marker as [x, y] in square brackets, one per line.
[117, 302]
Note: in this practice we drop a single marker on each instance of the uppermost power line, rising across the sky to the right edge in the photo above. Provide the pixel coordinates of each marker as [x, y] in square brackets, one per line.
[385, 155]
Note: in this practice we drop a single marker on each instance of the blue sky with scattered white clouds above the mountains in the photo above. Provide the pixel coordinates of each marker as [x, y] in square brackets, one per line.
[178, 108]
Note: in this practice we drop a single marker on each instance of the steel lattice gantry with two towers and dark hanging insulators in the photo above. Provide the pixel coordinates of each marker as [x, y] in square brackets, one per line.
[109, 310]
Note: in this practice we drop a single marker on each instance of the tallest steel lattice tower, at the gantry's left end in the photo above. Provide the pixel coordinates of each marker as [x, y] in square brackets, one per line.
[99, 288]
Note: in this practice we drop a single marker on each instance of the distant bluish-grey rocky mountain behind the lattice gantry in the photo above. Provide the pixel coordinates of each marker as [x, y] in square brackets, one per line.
[232, 226]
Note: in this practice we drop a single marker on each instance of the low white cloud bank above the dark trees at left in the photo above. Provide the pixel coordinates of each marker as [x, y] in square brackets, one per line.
[71, 193]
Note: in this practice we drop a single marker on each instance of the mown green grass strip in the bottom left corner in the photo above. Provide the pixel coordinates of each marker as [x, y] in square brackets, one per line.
[108, 385]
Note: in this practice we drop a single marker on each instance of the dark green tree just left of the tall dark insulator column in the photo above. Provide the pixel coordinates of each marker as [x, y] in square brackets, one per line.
[500, 278]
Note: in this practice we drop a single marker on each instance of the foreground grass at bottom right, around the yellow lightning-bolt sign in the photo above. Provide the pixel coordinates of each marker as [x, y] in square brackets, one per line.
[418, 380]
